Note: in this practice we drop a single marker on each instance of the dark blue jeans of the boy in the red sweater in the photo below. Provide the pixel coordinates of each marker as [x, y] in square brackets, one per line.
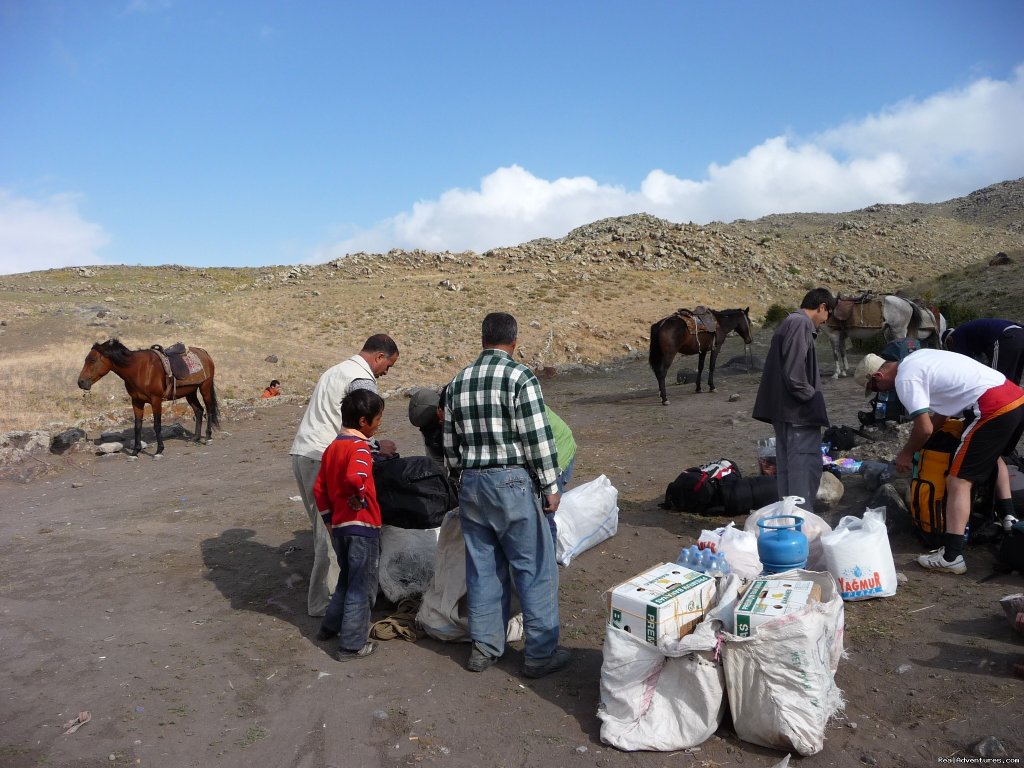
[349, 612]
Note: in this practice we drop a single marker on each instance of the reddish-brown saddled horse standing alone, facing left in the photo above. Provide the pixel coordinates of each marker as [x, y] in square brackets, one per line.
[147, 382]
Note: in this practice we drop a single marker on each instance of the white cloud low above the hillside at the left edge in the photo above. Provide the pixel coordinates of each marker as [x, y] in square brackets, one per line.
[47, 234]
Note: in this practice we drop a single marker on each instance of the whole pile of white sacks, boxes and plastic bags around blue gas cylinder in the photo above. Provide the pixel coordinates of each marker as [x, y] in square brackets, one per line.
[680, 646]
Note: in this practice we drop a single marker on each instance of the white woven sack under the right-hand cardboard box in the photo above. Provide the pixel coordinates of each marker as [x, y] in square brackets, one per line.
[781, 681]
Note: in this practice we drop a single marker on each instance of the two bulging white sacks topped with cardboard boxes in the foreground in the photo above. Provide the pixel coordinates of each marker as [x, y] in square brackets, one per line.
[668, 688]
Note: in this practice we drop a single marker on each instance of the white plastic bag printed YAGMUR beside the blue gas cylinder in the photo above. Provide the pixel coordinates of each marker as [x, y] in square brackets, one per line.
[859, 556]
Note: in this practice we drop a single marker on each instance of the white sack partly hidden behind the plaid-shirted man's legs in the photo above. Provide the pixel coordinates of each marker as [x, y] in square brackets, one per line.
[443, 611]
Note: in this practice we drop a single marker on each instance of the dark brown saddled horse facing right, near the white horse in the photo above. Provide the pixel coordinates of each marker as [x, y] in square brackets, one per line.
[672, 335]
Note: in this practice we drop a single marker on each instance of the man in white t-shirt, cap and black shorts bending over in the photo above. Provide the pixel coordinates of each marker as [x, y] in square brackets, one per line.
[946, 385]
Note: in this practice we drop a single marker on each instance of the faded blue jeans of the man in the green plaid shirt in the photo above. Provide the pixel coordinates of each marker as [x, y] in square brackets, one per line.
[508, 542]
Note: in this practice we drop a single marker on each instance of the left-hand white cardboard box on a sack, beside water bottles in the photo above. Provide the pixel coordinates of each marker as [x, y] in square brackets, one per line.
[665, 603]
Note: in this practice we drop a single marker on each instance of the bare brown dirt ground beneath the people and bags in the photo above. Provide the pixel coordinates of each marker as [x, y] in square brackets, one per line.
[167, 598]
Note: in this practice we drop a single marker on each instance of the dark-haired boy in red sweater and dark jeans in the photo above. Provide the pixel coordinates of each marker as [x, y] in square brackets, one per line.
[347, 499]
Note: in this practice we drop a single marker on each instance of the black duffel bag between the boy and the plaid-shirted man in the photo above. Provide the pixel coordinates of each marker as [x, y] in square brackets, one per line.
[414, 492]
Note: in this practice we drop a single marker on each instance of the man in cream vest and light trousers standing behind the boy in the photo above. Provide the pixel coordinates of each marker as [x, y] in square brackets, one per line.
[319, 428]
